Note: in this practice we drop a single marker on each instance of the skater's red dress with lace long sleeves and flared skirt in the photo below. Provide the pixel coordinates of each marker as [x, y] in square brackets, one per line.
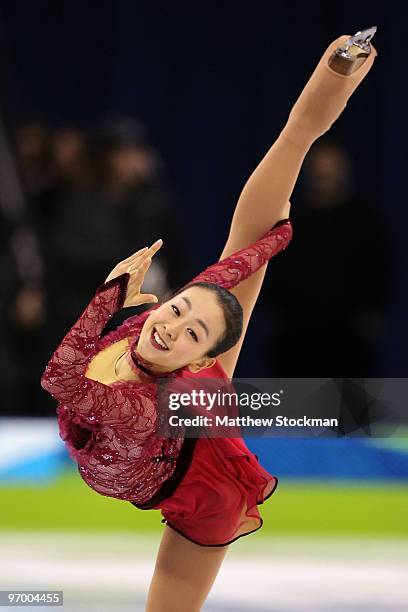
[208, 489]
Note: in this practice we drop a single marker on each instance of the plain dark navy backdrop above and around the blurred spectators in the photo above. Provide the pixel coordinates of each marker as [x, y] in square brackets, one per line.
[215, 84]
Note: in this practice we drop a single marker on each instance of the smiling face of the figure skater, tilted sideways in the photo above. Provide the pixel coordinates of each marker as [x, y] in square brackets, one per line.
[182, 331]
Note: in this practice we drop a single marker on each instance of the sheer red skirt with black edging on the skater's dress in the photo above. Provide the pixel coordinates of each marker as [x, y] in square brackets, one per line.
[217, 500]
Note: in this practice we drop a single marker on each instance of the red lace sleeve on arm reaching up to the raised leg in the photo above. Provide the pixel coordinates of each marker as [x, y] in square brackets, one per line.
[232, 270]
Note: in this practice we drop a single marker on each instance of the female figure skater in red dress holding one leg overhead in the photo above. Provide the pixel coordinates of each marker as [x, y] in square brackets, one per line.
[207, 489]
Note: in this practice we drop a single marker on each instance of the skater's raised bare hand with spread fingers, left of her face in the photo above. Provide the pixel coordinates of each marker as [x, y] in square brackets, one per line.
[137, 266]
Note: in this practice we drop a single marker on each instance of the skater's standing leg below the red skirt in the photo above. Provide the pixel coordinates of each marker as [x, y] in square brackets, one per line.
[183, 575]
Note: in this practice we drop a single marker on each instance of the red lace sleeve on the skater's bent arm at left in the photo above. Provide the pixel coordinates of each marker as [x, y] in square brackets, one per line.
[64, 377]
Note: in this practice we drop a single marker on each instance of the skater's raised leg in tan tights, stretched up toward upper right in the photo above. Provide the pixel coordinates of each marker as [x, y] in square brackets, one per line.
[265, 197]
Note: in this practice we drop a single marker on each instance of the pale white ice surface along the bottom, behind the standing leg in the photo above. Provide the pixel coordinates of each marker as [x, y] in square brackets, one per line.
[111, 572]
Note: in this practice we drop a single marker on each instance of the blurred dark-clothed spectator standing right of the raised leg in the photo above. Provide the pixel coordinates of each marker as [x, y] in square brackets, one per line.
[326, 299]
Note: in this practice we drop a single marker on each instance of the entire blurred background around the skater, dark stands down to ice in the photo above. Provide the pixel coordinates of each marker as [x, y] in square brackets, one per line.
[130, 121]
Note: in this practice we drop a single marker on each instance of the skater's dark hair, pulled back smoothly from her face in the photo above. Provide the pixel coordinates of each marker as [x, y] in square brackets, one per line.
[233, 316]
